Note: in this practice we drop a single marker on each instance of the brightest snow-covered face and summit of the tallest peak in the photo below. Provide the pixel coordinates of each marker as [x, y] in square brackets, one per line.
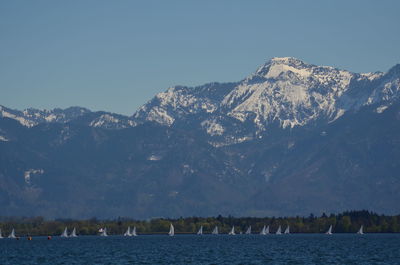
[289, 91]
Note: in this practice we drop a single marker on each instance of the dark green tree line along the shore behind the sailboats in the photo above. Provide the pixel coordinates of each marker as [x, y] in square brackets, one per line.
[346, 222]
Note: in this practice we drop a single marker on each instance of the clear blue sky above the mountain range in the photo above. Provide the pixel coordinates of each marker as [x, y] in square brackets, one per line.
[116, 55]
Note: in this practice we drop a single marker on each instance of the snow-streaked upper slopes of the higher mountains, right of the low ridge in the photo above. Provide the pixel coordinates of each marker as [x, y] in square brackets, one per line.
[284, 90]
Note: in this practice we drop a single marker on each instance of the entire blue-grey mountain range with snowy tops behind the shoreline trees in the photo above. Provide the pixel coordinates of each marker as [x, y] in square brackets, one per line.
[292, 138]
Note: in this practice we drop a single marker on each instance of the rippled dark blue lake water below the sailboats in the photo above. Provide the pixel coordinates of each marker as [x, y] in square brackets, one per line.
[206, 249]
